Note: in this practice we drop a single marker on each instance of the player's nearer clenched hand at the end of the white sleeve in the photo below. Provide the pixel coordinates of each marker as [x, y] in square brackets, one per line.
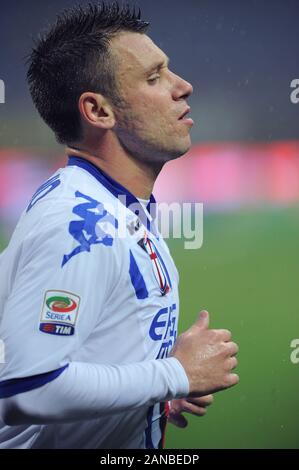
[208, 357]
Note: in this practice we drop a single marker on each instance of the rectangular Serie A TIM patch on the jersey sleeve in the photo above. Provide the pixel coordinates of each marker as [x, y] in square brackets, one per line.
[59, 313]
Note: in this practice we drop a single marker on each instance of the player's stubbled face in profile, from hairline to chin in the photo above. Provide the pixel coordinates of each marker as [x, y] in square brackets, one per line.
[149, 125]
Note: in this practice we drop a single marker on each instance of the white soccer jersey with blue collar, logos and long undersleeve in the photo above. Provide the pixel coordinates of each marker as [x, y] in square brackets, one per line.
[88, 314]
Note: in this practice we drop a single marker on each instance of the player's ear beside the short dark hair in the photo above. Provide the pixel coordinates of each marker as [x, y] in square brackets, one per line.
[96, 110]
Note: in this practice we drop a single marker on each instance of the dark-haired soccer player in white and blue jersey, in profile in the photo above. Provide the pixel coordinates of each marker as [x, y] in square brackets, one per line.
[89, 292]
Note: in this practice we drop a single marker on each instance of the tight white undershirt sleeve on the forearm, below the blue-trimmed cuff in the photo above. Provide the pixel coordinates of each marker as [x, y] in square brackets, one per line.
[85, 391]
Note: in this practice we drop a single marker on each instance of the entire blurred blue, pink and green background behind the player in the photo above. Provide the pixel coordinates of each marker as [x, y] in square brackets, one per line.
[244, 166]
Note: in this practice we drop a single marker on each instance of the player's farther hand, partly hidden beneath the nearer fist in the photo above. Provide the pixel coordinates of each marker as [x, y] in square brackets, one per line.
[195, 406]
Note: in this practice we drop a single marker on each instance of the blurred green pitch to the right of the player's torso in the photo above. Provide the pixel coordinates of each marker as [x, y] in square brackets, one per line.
[247, 276]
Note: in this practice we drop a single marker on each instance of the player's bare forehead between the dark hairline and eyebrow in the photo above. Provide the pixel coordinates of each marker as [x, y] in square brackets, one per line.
[137, 52]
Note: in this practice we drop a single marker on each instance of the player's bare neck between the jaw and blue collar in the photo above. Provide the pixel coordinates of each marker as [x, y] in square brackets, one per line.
[134, 175]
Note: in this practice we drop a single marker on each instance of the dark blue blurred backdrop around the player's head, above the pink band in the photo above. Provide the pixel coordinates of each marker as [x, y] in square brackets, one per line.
[240, 56]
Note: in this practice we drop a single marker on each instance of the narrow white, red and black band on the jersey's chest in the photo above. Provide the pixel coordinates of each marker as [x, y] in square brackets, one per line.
[159, 268]
